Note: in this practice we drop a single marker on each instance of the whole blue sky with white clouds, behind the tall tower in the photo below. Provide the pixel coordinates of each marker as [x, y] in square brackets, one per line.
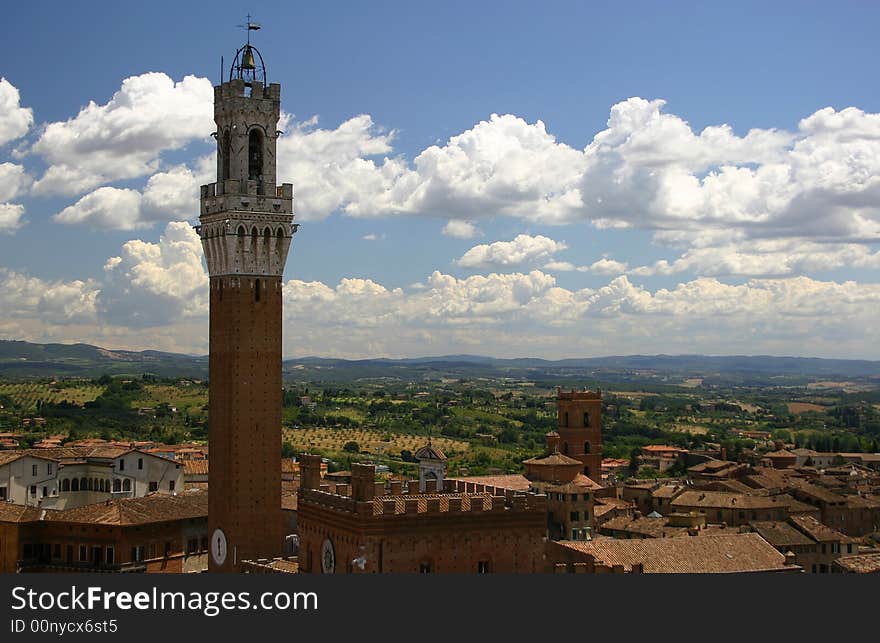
[571, 235]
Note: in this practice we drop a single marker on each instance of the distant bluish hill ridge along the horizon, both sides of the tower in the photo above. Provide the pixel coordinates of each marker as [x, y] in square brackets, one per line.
[26, 359]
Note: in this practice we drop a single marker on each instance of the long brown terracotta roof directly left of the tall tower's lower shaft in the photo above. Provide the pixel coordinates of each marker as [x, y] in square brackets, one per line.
[156, 507]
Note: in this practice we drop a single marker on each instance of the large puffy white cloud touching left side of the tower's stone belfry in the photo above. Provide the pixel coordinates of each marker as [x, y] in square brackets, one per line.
[124, 138]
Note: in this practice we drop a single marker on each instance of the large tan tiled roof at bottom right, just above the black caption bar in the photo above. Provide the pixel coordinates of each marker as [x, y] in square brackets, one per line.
[713, 554]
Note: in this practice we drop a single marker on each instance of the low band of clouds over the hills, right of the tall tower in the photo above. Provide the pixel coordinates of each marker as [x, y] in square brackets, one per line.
[529, 314]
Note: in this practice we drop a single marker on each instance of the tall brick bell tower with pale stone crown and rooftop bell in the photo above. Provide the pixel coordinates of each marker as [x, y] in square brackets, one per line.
[246, 227]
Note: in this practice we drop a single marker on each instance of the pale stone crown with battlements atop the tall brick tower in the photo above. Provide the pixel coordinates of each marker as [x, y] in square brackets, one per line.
[246, 220]
